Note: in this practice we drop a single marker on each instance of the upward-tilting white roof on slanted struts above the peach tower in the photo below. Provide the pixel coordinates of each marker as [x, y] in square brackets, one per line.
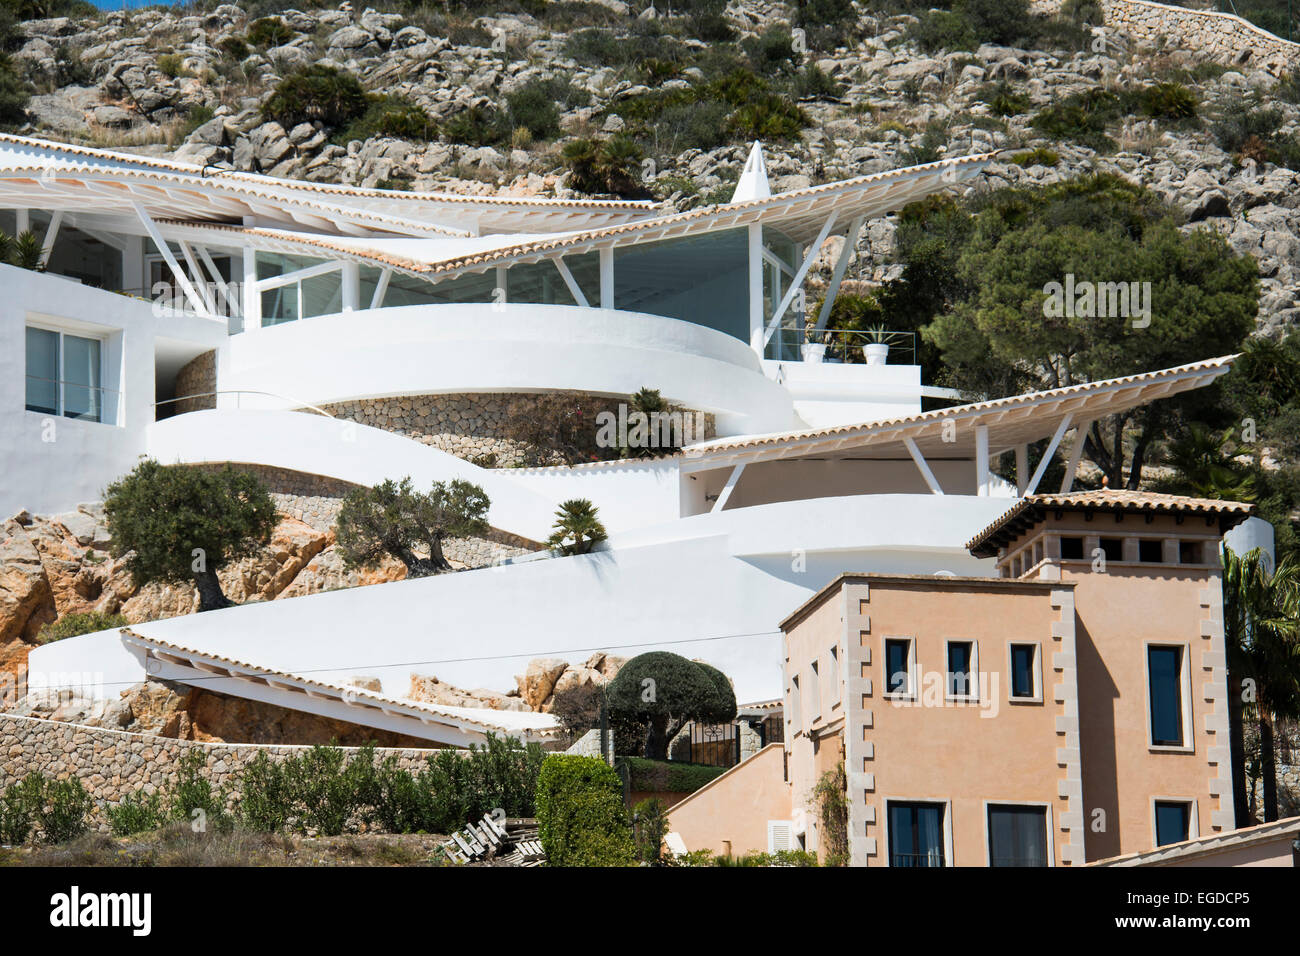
[1011, 422]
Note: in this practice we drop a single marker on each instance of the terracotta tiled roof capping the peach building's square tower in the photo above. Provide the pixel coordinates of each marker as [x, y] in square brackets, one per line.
[1032, 509]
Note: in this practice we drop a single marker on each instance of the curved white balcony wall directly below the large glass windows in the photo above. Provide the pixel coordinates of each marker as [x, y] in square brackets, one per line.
[513, 348]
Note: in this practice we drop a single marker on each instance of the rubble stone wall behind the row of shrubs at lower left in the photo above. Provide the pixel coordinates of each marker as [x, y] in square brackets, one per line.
[112, 764]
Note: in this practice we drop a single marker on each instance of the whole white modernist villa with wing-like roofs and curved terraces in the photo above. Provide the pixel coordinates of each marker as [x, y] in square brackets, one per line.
[285, 301]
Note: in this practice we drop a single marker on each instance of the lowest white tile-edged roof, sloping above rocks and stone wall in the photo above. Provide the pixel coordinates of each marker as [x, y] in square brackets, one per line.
[452, 725]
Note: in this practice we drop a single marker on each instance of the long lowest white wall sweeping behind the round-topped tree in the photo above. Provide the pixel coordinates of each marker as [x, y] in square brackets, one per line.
[717, 594]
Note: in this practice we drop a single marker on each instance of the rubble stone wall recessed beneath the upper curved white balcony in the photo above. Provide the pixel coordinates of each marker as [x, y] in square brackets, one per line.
[474, 427]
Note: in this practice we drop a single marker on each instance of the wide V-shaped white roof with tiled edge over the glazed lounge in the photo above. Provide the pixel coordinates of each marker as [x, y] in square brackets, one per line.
[799, 214]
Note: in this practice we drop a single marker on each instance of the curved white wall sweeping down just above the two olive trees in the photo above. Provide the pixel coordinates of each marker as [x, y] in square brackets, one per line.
[345, 451]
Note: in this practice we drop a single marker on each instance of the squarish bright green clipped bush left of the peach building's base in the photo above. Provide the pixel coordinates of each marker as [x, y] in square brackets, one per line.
[582, 817]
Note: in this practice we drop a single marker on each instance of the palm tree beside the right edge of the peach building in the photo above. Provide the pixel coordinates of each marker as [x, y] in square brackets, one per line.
[1262, 630]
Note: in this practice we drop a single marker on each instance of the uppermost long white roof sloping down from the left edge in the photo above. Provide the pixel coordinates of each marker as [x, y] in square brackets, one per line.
[167, 188]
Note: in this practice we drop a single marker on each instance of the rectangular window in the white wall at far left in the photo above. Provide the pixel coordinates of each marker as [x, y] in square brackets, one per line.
[64, 375]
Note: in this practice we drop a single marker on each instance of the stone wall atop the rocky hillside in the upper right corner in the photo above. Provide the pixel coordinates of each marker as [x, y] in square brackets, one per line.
[1220, 36]
